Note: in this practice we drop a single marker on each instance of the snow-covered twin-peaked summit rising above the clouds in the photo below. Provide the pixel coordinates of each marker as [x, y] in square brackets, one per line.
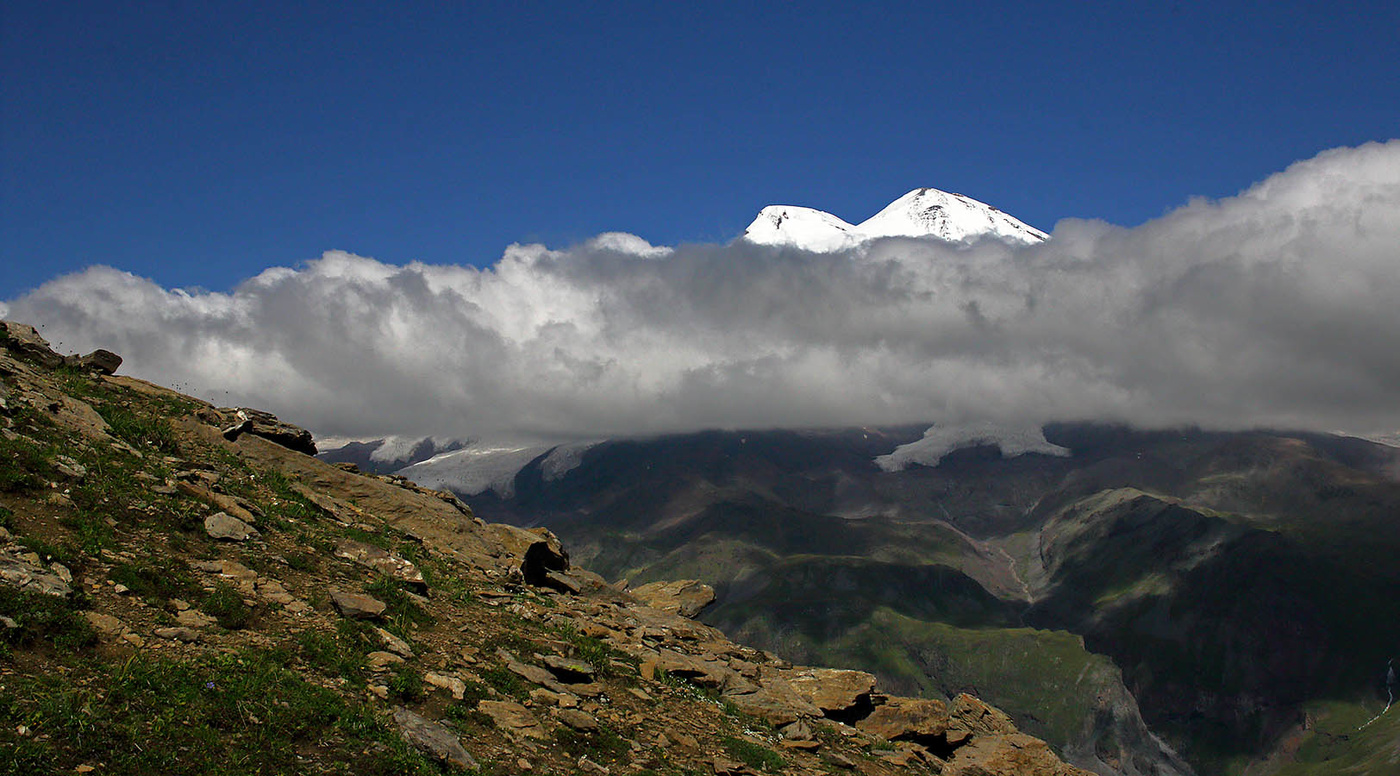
[919, 214]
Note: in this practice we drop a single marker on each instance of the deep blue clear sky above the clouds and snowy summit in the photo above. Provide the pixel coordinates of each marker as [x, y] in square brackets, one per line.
[199, 144]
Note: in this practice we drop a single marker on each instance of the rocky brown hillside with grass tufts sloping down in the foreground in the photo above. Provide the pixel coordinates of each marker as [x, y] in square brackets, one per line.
[184, 589]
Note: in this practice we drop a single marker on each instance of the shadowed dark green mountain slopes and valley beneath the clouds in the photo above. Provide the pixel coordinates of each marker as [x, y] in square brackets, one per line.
[1136, 595]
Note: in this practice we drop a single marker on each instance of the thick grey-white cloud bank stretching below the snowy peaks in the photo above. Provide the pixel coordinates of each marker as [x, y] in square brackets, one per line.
[1279, 307]
